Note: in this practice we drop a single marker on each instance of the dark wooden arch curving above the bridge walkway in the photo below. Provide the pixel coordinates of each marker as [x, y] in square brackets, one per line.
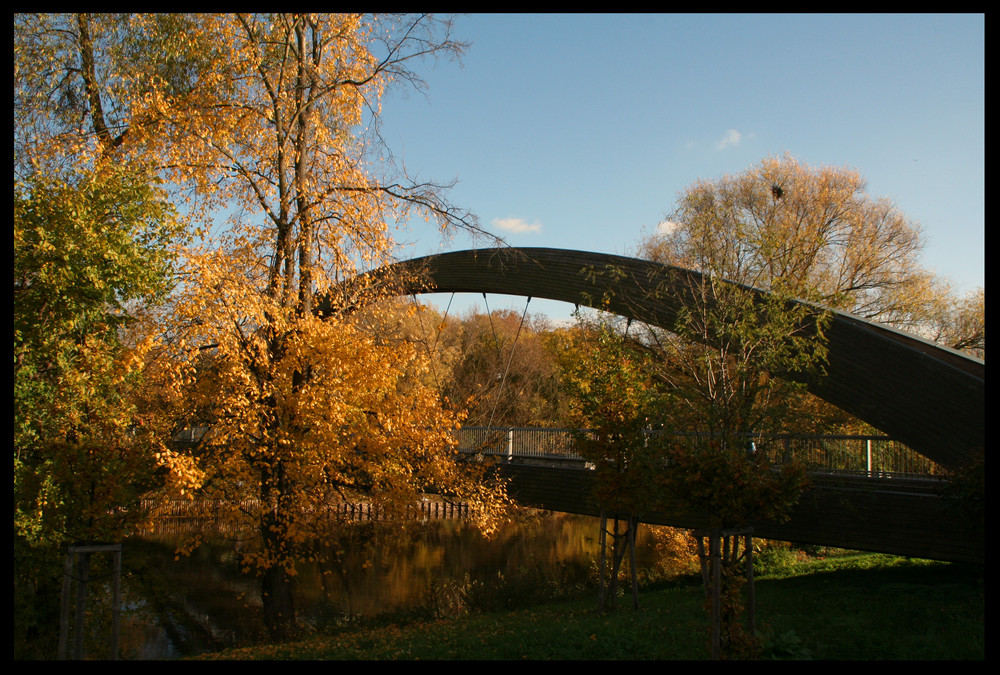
[929, 397]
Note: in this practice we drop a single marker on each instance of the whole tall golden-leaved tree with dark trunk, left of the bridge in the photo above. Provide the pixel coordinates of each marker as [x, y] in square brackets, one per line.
[269, 121]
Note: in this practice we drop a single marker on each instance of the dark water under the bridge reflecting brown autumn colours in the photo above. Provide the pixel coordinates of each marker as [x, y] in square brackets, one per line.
[190, 605]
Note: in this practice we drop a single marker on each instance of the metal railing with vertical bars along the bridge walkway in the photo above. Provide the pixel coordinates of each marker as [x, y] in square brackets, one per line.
[878, 456]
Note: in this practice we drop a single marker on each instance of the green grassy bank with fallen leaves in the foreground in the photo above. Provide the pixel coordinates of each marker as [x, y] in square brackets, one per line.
[854, 607]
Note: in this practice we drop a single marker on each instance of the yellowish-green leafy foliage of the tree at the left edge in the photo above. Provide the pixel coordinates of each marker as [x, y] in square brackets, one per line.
[86, 254]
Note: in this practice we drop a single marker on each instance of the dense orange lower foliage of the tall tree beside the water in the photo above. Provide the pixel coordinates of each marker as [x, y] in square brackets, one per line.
[330, 407]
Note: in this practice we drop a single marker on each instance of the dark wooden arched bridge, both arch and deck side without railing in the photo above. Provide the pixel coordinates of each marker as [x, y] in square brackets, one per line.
[928, 397]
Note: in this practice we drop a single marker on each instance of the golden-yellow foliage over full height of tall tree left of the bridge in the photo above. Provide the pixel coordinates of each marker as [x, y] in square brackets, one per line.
[297, 406]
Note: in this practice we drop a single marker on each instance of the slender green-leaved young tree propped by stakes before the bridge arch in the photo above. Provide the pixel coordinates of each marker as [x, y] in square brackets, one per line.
[719, 364]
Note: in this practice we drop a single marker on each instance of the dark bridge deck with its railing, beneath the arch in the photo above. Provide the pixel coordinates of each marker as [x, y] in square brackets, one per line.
[887, 508]
